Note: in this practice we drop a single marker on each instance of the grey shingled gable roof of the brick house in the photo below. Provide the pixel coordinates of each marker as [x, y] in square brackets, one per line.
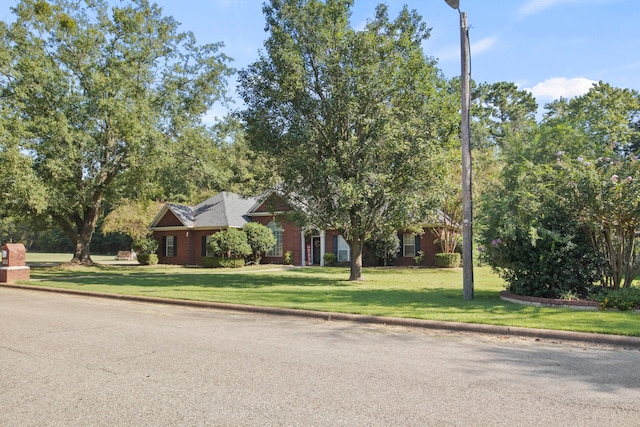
[224, 210]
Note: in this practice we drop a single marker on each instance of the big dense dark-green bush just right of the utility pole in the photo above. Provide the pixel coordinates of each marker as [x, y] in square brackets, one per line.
[531, 237]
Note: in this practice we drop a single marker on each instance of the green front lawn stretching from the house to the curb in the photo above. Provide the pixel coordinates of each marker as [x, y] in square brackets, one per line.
[434, 294]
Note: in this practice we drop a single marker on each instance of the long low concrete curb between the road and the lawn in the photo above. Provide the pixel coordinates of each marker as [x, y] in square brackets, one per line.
[546, 334]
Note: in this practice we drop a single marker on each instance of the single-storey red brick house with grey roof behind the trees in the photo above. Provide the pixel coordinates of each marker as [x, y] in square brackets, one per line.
[183, 231]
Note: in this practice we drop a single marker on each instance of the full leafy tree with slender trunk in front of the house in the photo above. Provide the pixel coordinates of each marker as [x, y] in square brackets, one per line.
[352, 118]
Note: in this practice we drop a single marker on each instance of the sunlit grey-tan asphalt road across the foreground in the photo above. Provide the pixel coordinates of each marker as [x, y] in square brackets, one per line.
[79, 361]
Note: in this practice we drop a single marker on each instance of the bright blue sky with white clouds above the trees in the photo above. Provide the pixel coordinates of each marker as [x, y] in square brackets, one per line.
[551, 47]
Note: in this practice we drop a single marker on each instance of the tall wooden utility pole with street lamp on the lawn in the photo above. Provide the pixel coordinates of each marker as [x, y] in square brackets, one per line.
[467, 204]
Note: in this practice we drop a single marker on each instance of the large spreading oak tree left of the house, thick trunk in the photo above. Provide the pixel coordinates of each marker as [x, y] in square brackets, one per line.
[90, 95]
